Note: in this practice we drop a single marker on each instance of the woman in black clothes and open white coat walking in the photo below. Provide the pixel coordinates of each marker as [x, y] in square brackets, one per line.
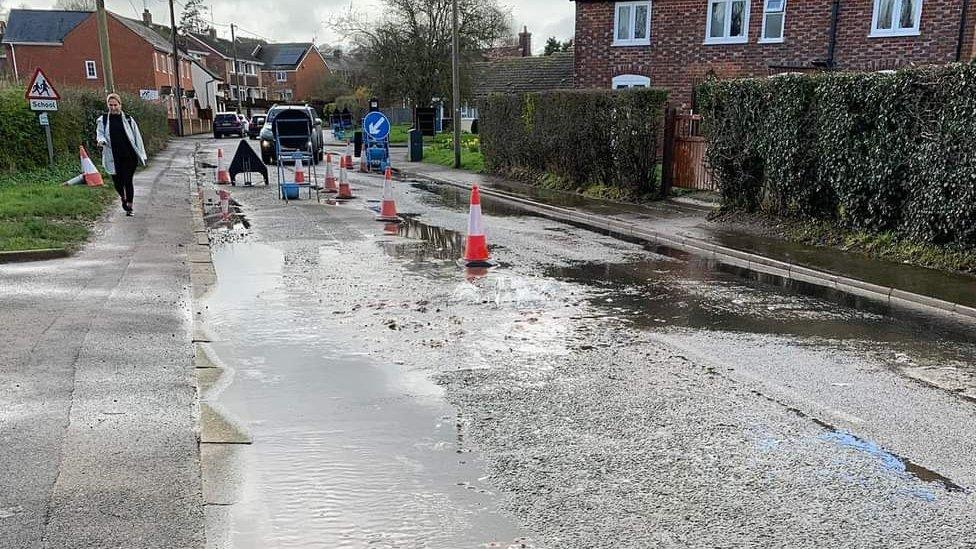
[122, 149]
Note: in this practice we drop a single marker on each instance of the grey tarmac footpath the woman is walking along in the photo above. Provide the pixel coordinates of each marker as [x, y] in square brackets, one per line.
[97, 396]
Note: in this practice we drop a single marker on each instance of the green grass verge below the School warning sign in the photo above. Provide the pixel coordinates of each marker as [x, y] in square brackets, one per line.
[36, 212]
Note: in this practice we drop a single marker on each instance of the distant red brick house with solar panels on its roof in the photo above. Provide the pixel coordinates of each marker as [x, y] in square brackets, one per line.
[292, 71]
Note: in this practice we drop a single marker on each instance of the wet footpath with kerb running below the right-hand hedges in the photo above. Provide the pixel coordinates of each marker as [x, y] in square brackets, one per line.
[684, 226]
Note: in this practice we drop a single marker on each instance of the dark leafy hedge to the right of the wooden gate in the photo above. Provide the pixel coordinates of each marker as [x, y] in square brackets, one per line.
[876, 152]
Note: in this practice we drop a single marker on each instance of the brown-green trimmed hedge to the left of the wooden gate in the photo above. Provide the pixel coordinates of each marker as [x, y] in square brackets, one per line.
[584, 138]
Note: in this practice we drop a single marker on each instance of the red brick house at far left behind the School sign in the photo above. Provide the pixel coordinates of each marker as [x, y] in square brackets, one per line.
[65, 45]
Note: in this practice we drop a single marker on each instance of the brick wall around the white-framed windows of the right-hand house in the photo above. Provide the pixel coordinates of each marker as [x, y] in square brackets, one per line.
[678, 58]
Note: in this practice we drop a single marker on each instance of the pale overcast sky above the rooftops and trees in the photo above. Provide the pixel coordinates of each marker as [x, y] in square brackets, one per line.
[303, 20]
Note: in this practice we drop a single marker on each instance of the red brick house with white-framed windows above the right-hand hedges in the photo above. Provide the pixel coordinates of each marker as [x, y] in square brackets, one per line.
[674, 44]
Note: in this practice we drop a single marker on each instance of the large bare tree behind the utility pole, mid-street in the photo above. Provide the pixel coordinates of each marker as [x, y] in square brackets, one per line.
[408, 52]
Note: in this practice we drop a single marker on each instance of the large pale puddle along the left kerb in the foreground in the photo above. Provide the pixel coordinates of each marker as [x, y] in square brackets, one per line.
[347, 451]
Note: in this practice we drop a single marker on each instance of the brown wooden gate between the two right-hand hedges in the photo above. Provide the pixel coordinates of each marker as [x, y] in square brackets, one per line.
[688, 169]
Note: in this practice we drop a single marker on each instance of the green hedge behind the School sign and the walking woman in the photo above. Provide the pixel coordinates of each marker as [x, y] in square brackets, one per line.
[23, 141]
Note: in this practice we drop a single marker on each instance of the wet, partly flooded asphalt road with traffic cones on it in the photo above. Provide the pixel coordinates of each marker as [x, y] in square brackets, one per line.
[587, 392]
